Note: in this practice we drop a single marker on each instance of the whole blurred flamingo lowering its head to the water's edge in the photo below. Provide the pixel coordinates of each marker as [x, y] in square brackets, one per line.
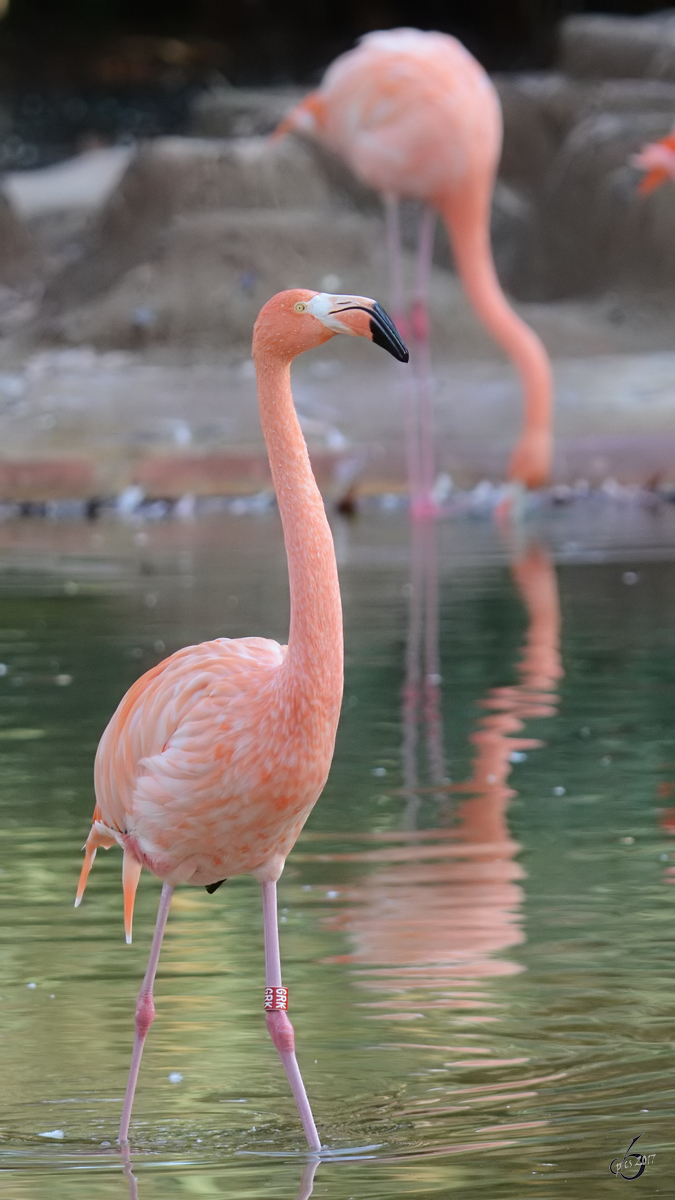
[415, 116]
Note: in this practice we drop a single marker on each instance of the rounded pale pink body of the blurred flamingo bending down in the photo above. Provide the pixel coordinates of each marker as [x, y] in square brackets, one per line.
[413, 113]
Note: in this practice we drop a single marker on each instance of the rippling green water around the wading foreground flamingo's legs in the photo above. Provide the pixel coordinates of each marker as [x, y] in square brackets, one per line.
[494, 1022]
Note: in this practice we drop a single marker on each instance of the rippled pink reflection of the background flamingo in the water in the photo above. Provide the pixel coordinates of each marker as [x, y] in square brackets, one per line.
[444, 903]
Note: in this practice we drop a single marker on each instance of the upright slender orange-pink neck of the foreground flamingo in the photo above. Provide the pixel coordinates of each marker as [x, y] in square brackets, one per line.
[315, 641]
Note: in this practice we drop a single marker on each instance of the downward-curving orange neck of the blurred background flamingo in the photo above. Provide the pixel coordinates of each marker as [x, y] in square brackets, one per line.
[469, 230]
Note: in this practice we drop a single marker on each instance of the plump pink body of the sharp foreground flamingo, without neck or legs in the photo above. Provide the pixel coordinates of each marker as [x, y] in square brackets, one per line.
[208, 770]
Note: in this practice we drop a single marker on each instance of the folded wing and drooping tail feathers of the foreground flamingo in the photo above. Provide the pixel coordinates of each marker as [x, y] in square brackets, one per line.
[181, 758]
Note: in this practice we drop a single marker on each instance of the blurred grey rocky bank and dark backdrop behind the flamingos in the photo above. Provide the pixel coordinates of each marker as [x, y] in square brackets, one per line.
[144, 214]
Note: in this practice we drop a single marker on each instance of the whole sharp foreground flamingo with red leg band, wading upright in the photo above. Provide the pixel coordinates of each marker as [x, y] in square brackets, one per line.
[214, 759]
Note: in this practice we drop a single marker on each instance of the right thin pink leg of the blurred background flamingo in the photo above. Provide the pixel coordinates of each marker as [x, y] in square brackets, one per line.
[426, 506]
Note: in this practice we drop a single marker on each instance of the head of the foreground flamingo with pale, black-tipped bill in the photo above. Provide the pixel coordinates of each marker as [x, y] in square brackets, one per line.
[298, 321]
